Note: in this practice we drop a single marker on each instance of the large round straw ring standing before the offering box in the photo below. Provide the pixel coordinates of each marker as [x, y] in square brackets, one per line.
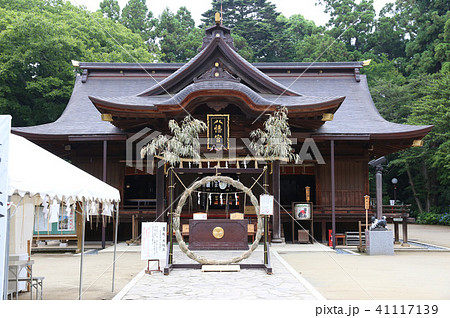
[176, 220]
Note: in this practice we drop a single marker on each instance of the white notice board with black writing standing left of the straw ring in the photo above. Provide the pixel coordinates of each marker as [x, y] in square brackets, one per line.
[153, 240]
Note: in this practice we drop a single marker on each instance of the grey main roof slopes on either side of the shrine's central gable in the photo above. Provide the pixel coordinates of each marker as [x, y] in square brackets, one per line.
[357, 114]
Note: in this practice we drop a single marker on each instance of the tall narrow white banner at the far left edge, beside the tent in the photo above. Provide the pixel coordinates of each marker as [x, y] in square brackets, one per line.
[5, 129]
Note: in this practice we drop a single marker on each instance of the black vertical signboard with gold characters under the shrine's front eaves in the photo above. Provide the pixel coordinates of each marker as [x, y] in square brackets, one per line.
[218, 131]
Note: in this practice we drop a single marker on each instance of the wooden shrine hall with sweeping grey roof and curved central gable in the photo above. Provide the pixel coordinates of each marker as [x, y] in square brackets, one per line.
[116, 108]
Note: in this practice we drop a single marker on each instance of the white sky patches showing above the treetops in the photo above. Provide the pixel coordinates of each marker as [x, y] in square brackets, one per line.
[288, 7]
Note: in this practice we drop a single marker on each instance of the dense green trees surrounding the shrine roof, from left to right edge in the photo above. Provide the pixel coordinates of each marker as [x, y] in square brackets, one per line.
[408, 42]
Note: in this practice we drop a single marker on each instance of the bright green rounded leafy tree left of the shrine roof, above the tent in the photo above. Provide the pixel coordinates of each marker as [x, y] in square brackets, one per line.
[38, 40]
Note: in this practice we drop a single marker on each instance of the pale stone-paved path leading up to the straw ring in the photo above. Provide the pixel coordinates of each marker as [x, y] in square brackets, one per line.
[248, 284]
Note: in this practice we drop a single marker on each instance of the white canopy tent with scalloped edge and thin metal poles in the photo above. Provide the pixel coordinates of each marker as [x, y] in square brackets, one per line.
[36, 174]
